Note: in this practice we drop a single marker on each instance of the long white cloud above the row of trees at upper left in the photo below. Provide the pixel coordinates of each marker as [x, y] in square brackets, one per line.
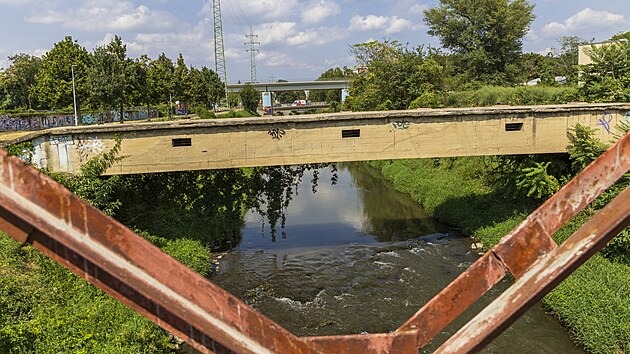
[105, 15]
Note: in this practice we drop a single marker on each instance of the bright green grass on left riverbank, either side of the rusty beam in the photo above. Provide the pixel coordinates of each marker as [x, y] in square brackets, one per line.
[44, 308]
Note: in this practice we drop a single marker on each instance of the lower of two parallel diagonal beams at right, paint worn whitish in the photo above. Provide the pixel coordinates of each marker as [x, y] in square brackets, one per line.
[542, 277]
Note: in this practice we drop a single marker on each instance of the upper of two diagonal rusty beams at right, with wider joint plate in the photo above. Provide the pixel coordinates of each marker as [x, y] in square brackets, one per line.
[523, 246]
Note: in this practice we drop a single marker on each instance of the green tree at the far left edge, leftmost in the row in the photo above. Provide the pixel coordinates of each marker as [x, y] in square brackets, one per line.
[19, 81]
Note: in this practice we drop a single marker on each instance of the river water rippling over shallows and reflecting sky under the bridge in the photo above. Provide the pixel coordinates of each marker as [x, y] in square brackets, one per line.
[360, 257]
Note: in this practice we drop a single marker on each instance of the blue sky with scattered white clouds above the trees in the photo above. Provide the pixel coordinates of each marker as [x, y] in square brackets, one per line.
[298, 39]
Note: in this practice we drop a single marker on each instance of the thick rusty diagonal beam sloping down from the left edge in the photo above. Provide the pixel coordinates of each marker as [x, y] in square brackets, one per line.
[131, 269]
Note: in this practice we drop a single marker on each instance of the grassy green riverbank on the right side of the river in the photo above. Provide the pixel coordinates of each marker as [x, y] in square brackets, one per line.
[594, 302]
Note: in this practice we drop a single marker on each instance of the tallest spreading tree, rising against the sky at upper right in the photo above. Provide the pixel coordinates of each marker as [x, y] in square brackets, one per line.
[487, 35]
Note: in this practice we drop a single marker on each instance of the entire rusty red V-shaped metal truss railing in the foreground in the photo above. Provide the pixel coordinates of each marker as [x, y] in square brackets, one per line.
[35, 209]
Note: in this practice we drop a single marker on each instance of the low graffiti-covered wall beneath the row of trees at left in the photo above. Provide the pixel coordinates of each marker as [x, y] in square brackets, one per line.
[9, 123]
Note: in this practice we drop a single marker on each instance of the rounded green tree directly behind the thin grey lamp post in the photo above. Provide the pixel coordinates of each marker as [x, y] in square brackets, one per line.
[54, 79]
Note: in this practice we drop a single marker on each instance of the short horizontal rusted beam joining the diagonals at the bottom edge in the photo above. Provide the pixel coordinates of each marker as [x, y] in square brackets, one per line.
[381, 343]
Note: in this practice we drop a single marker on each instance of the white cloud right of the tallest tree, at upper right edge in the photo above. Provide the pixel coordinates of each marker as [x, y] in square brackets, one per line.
[585, 20]
